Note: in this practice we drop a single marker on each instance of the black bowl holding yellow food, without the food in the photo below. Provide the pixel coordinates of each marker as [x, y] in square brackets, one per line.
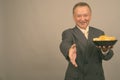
[105, 43]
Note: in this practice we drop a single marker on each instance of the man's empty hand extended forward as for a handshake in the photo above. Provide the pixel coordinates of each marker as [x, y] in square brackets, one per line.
[73, 55]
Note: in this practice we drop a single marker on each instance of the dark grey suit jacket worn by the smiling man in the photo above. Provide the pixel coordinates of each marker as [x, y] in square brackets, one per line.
[89, 58]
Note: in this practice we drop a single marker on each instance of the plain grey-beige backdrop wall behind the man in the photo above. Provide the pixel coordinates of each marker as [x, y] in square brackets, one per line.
[30, 34]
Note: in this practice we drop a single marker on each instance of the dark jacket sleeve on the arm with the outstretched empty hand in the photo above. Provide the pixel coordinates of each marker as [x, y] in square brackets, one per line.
[67, 41]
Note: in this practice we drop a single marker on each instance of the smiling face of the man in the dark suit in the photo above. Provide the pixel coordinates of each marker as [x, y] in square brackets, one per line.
[82, 16]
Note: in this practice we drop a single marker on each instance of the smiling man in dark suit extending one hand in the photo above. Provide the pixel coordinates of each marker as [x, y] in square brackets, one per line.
[85, 59]
